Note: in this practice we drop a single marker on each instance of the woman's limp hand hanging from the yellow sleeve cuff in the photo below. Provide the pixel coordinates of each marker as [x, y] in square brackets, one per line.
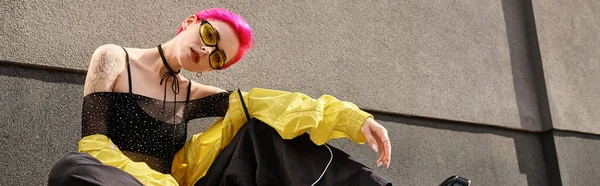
[378, 140]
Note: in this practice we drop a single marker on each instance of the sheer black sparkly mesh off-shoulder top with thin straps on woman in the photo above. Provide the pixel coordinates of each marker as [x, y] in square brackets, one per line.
[142, 128]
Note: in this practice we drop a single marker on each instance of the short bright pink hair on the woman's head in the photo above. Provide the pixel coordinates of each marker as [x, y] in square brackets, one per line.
[239, 25]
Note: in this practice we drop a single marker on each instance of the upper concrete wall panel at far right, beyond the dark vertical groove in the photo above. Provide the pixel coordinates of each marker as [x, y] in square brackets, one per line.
[570, 53]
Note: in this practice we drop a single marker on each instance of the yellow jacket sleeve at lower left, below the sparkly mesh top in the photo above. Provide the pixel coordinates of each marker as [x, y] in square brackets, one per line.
[101, 147]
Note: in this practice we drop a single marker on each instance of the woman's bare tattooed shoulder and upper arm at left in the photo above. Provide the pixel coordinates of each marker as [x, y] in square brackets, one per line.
[106, 63]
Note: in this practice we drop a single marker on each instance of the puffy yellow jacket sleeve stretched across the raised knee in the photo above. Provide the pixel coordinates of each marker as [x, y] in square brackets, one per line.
[292, 113]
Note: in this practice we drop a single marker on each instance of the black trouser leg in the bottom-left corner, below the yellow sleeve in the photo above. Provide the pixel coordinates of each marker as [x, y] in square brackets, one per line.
[78, 168]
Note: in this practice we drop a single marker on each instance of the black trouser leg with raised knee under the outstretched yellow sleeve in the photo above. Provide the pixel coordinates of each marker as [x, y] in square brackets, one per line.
[258, 155]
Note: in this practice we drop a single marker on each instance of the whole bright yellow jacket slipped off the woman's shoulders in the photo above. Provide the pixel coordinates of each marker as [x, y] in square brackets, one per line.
[290, 114]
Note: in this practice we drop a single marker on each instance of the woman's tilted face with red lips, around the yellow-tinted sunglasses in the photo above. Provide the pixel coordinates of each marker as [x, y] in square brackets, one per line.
[193, 54]
